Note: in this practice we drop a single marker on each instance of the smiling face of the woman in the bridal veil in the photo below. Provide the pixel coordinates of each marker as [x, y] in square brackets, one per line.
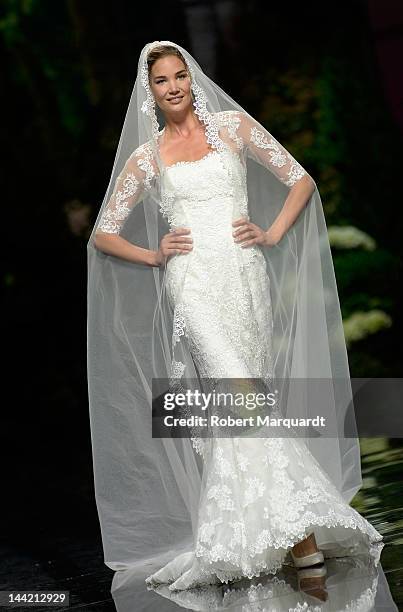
[170, 84]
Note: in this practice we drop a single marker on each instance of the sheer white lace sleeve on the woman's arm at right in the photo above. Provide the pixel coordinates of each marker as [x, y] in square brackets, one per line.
[267, 151]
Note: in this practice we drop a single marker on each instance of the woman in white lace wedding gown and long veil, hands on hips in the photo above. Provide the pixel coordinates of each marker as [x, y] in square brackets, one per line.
[216, 297]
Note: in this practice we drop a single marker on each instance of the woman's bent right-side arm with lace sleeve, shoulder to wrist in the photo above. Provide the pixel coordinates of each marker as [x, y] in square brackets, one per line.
[267, 151]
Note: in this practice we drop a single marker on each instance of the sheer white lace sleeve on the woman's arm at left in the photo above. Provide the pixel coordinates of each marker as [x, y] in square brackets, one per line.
[130, 187]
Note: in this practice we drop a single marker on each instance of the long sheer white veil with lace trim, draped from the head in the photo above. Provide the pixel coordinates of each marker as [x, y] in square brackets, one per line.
[147, 488]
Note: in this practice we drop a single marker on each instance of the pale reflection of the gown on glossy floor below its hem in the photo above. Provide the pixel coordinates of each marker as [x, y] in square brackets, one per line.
[350, 583]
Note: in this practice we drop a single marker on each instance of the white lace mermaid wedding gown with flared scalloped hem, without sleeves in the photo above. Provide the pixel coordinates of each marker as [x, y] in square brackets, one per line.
[261, 495]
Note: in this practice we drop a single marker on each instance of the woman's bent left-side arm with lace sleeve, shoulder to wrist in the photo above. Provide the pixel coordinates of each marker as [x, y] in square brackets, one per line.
[130, 187]
